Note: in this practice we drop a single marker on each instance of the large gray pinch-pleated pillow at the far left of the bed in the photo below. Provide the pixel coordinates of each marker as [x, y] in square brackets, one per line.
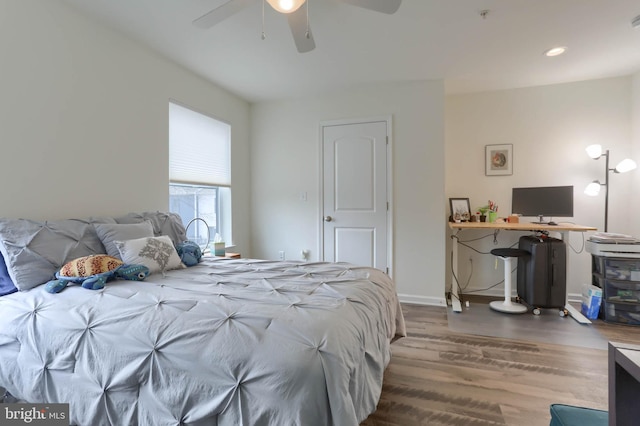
[34, 251]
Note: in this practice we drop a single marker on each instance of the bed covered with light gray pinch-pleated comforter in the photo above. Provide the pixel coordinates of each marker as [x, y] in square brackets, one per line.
[225, 342]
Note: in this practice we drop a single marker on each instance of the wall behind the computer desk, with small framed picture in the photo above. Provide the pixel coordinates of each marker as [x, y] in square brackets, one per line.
[549, 128]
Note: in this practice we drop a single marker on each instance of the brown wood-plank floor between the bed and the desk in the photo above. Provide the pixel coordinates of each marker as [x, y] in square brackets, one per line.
[439, 377]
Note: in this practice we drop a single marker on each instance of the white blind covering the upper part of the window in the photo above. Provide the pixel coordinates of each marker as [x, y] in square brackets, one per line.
[199, 148]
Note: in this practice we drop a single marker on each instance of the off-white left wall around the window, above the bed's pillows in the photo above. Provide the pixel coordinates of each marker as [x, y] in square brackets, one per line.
[83, 119]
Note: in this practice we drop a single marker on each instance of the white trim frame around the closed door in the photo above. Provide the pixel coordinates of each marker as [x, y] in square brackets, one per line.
[389, 125]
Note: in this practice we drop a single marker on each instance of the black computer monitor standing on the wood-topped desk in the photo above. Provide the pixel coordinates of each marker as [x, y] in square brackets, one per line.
[543, 201]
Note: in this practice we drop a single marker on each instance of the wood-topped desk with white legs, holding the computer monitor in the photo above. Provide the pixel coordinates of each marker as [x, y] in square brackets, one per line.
[562, 228]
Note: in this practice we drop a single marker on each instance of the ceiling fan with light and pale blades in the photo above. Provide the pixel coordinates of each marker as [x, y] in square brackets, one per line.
[296, 15]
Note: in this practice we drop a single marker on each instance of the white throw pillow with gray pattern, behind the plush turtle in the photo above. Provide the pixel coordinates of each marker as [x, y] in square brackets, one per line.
[156, 253]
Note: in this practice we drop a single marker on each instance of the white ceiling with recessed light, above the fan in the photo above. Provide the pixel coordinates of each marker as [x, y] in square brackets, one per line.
[424, 39]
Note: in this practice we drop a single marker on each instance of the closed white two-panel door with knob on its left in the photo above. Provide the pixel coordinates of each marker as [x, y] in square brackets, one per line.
[355, 194]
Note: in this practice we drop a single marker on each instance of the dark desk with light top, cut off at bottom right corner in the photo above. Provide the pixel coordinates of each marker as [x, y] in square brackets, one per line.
[624, 384]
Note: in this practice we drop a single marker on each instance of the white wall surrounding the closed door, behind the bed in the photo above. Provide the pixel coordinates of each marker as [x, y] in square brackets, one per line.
[285, 162]
